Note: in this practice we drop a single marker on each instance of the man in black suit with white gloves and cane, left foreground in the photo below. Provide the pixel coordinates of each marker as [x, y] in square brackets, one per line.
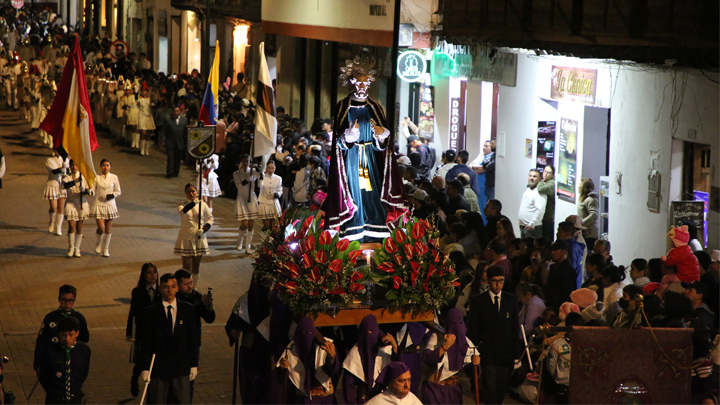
[170, 335]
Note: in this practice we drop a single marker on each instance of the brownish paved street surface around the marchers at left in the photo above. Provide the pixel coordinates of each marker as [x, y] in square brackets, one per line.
[33, 266]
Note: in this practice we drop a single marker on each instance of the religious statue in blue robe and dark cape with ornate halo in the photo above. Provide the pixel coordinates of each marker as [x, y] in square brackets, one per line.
[365, 190]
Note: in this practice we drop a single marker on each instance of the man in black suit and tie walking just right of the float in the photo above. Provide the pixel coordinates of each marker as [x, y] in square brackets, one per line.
[494, 326]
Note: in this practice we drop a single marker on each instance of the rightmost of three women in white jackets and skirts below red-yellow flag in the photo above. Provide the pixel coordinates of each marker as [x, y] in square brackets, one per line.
[106, 188]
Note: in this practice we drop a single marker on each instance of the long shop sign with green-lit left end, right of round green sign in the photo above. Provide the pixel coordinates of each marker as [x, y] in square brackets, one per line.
[480, 63]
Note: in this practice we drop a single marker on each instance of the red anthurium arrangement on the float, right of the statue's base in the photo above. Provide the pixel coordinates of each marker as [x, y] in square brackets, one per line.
[417, 275]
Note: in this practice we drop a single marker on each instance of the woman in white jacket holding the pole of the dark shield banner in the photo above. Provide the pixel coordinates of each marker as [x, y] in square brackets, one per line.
[191, 243]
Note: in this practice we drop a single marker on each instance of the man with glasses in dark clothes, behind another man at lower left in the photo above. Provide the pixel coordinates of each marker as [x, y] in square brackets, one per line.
[48, 329]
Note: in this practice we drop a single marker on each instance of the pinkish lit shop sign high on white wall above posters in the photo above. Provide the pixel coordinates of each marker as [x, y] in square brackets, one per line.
[573, 84]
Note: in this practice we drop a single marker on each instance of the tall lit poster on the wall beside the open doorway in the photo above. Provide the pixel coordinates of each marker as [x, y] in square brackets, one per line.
[567, 160]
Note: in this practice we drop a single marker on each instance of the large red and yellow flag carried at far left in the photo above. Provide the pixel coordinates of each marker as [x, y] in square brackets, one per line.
[69, 120]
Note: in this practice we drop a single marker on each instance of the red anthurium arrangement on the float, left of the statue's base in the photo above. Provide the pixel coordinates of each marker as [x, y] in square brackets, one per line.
[322, 268]
